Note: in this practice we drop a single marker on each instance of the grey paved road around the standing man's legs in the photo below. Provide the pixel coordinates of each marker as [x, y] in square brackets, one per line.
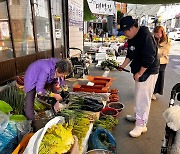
[150, 142]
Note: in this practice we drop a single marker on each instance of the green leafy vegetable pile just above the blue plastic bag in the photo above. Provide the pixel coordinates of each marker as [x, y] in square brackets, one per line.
[107, 122]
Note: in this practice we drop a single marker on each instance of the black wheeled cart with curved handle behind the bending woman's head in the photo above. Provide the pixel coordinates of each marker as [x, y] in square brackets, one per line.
[80, 64]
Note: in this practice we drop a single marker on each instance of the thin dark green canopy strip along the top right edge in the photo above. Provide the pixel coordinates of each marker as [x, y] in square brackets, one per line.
[149, 1]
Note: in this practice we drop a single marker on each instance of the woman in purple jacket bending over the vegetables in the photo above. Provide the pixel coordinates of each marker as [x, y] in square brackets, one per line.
[40, 74]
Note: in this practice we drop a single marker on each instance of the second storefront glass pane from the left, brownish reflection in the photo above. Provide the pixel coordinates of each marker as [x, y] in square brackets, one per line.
[22, 28]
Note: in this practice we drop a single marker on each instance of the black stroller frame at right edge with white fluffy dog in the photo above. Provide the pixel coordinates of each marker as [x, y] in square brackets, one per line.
[169, 133]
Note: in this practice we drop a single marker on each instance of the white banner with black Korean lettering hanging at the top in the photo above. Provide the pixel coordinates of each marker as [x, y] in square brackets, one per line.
[102, 7]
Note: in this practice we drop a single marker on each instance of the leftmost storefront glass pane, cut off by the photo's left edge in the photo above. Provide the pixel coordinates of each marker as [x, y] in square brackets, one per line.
[6, 51]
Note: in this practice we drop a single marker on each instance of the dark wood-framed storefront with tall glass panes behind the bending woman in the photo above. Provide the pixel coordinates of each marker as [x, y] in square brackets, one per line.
[30, 30]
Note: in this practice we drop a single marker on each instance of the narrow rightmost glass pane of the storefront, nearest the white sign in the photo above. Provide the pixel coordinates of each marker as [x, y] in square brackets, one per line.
[57, 22]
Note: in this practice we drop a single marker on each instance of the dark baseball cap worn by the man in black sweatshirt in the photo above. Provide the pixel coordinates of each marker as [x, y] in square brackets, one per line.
[126, 23]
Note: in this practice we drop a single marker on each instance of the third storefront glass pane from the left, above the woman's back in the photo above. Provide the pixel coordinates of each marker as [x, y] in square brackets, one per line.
[42, 25]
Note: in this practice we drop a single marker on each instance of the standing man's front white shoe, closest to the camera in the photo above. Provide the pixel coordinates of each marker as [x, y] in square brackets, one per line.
[137, 131]
